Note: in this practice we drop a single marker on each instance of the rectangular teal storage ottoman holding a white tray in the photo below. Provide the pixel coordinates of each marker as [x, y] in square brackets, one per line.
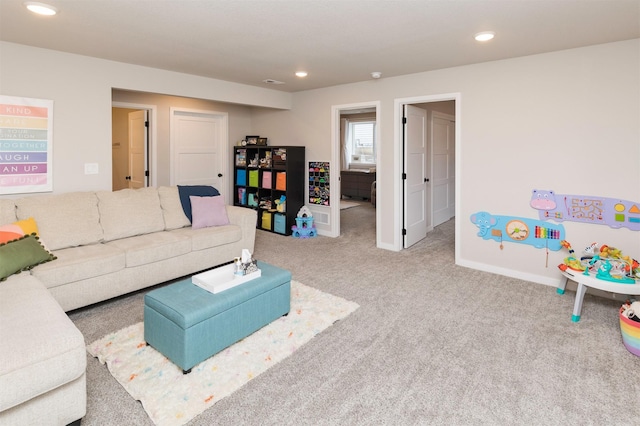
[188, 324]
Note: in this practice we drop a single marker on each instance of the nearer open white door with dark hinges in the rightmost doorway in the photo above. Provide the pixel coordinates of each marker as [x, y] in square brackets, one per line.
[415, 169]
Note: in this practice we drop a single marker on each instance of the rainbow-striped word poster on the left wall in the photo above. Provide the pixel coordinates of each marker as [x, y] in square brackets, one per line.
[26, 134]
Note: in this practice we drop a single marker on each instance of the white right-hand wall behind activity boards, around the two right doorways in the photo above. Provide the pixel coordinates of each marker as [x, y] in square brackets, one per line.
[566, 121]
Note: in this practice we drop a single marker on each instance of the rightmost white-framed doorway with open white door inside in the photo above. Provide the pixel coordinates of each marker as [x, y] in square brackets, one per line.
[429, 165]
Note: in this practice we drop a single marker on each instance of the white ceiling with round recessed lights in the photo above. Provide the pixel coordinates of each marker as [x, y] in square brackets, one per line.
[335, 41]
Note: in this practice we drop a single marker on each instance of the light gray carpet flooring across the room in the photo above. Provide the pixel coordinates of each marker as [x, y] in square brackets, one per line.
[432, 343]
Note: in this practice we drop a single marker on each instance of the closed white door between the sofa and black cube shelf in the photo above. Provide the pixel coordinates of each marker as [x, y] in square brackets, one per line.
[199, 148]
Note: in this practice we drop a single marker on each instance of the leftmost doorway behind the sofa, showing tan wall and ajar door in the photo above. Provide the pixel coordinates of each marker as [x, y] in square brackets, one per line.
[132, 145]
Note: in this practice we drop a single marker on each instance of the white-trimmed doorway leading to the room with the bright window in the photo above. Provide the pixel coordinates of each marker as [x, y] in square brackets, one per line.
[372, 110]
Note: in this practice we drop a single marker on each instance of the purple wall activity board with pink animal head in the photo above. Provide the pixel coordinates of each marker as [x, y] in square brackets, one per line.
[587, 209]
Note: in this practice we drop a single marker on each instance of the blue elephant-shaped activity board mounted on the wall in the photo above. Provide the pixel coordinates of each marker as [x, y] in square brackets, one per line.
[521, 230]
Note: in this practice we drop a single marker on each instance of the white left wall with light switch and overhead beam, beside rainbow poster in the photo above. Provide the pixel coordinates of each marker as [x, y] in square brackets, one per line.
[81, 90]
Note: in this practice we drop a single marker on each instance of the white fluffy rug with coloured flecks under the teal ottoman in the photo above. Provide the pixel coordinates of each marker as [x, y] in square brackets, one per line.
[172, 398]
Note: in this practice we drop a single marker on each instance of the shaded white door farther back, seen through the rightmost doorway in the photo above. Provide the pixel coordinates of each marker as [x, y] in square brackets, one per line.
[443, 156]
